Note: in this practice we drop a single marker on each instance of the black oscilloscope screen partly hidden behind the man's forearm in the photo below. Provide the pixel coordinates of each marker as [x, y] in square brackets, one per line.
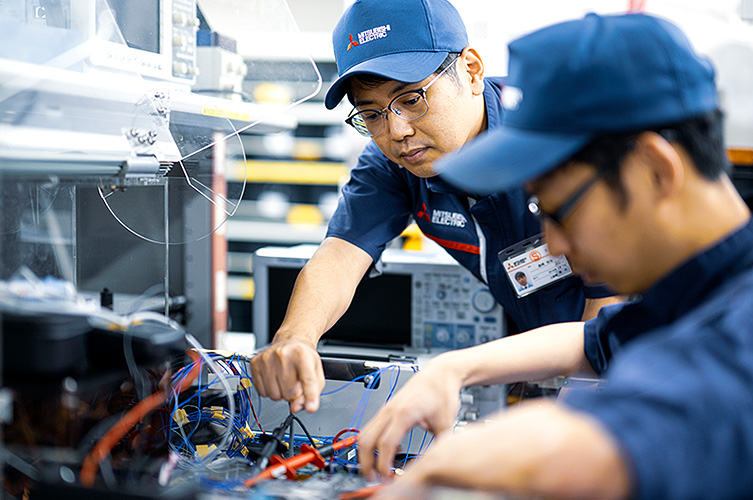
[379, 316]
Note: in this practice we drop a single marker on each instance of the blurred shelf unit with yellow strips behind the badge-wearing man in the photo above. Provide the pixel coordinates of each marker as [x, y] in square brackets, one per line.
[293, 180]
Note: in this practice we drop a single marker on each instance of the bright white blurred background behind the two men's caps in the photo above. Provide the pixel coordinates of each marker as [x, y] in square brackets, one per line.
[716, 28]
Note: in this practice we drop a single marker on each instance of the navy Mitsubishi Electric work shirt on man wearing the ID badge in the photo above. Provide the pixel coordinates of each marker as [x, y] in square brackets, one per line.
[381, 198]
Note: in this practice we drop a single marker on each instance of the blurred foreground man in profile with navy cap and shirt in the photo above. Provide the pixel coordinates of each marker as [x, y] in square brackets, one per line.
[614, 129]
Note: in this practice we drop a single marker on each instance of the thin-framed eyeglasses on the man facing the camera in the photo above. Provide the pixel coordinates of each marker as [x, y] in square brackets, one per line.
[409, 106]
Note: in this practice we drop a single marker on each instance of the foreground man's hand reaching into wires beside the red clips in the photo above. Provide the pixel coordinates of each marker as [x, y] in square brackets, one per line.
[430, 399]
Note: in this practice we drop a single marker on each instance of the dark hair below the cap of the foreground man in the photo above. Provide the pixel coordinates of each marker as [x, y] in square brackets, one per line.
[701, 136]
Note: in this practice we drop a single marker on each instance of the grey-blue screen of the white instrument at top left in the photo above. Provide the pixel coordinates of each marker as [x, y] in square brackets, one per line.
[138, 21]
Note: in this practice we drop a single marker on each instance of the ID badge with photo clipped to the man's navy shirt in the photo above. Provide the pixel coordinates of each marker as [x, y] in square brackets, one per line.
[530, 266]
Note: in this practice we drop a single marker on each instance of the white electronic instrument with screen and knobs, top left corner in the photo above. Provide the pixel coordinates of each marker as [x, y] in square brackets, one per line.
[151, 38]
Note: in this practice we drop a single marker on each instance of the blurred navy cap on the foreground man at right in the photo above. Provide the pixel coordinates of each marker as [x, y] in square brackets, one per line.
[571, 82]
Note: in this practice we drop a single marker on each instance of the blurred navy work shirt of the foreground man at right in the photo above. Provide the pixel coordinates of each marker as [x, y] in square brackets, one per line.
[679, 363]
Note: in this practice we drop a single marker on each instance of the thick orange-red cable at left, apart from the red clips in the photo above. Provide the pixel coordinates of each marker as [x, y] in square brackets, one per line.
[128, 421]
